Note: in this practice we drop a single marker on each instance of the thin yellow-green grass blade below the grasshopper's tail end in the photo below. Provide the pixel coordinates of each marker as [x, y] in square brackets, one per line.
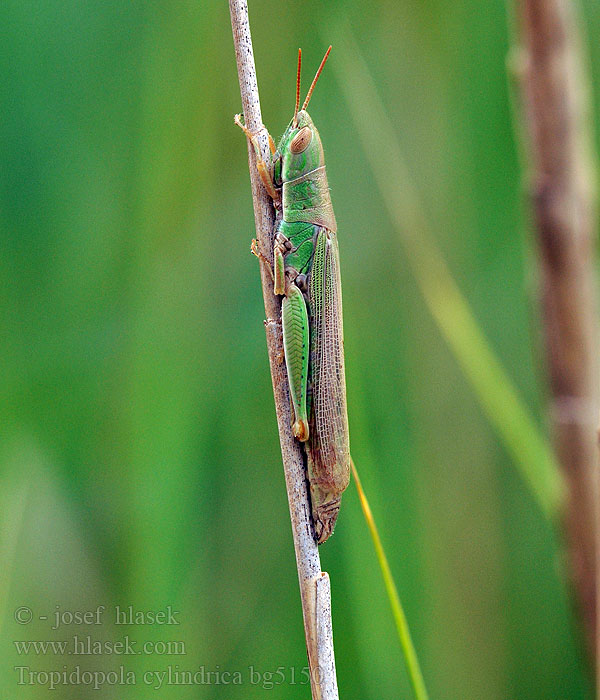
[408, 649]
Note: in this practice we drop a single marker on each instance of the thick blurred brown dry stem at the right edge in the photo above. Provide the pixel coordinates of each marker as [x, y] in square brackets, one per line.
[562, 188]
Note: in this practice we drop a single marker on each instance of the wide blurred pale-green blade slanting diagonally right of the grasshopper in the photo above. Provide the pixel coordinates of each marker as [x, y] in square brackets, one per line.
[506, 411]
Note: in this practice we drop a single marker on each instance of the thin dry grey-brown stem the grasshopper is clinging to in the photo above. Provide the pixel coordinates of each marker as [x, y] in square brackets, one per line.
[314, 584]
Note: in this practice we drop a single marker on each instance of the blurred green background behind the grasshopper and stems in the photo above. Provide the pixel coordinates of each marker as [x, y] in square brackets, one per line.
[139, 456]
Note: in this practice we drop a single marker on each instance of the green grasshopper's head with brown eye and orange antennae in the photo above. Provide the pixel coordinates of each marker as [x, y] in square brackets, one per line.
[300, 149]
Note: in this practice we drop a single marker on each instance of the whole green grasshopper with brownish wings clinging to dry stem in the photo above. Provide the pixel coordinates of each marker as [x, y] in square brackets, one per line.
[306, 272]
